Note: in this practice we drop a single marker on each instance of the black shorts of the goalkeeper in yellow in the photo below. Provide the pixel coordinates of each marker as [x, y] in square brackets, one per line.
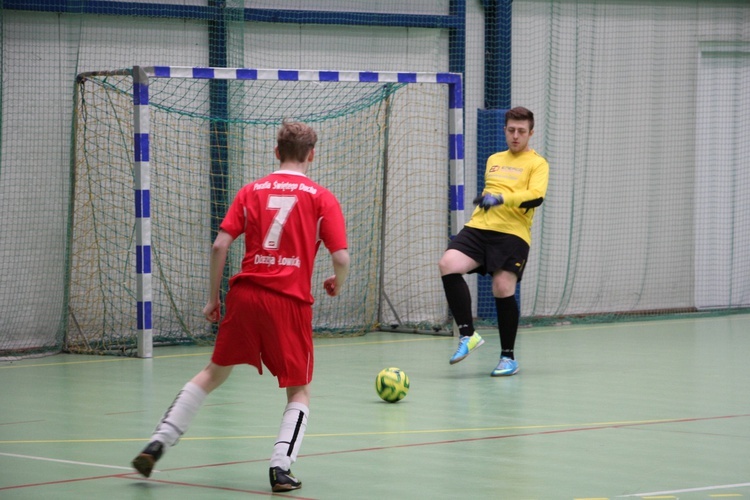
[493, 250]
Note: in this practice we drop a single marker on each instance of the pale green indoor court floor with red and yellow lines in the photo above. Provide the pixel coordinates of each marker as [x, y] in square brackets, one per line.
[653, 409]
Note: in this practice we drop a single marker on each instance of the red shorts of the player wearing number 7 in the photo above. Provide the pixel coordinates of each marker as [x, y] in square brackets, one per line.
[263, 326]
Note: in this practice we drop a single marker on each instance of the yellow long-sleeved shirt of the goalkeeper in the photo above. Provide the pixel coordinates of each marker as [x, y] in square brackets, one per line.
[522, 180]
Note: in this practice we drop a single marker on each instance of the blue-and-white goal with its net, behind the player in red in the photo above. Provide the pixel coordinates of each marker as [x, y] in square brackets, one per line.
[160, 152]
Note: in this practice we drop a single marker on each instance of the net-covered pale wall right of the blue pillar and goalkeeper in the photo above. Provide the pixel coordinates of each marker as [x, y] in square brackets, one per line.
[642, 112]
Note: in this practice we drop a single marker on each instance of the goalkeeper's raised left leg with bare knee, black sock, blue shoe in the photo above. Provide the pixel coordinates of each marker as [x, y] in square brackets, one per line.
[455, 262]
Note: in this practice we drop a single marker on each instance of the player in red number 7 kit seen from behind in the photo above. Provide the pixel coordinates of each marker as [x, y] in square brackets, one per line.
[268, 320]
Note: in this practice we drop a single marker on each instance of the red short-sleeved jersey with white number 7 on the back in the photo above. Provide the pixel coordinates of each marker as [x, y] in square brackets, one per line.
[285, 216]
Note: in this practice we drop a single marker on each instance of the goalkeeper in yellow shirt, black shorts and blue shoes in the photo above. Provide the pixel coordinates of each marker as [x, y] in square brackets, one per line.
[496, 239]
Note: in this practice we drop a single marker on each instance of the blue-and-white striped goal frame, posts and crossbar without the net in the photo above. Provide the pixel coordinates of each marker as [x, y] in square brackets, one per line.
[142, 172]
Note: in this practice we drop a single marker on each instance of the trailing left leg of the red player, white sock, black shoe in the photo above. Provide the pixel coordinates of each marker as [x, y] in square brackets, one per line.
[179, 415]
